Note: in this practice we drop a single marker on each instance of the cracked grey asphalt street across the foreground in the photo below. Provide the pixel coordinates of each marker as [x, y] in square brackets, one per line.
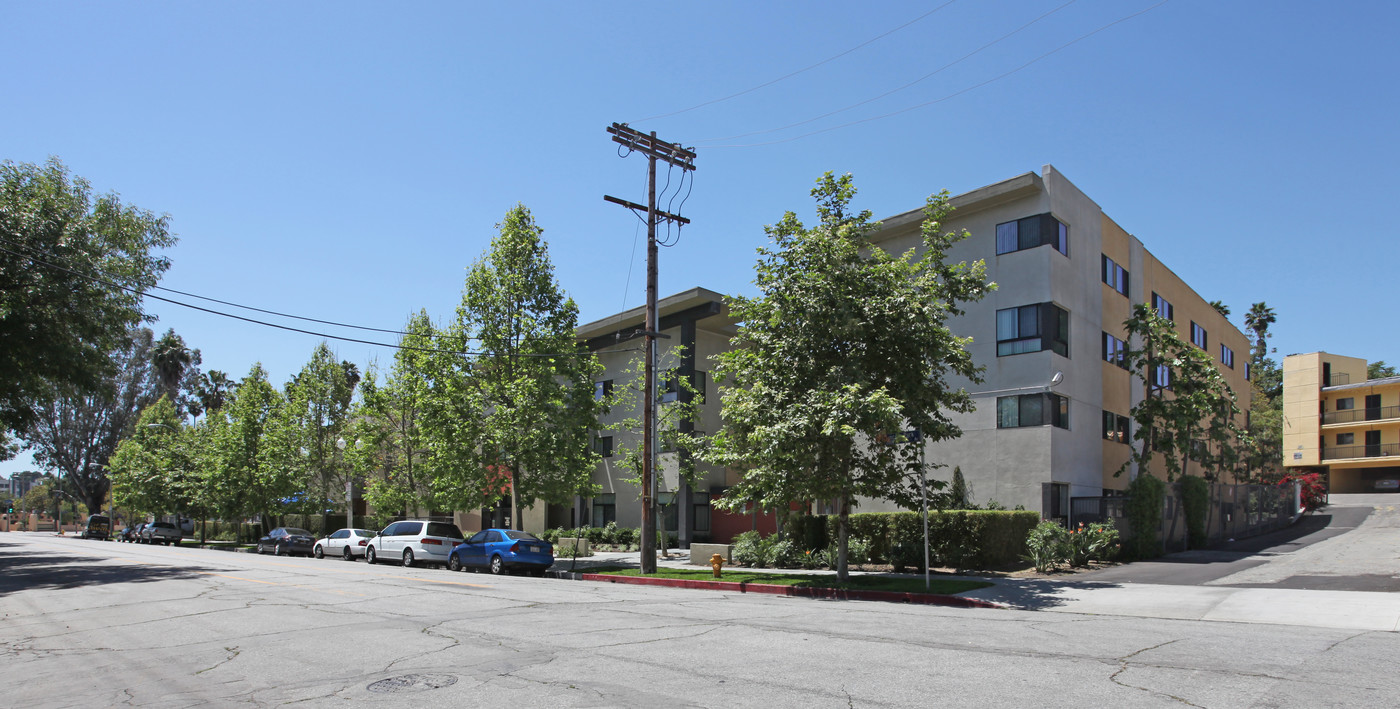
[103, 624]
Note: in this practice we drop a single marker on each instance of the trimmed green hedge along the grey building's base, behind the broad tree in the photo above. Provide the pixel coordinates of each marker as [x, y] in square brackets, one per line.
[957, 539]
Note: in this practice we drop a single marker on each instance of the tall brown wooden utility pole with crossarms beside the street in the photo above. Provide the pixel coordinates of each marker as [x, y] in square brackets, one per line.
[684, 159]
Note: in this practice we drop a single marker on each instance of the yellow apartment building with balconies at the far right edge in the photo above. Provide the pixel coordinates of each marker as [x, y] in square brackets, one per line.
[1339, 422]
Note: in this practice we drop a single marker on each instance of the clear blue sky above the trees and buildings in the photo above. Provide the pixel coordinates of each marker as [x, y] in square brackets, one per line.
[349, 162]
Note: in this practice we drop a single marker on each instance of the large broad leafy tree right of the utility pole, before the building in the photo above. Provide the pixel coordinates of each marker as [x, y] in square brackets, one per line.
[846, 347]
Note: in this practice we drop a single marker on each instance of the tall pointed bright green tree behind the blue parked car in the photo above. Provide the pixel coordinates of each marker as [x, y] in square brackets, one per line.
[533, 380]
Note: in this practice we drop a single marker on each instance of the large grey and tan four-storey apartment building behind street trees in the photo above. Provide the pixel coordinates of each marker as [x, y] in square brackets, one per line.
[1052, 418]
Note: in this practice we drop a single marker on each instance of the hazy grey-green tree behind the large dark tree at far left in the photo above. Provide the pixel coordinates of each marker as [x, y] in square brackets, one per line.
[78, 431]
